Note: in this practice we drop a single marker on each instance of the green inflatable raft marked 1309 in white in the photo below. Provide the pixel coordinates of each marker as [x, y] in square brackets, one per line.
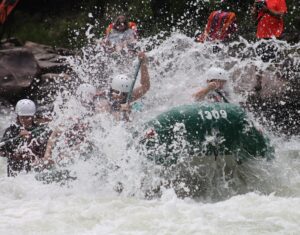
[204, 129]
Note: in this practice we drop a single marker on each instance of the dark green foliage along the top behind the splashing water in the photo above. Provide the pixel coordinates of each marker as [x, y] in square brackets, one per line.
[65, 26]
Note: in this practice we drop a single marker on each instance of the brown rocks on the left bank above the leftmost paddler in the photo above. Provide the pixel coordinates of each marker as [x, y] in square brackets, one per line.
[31, 70]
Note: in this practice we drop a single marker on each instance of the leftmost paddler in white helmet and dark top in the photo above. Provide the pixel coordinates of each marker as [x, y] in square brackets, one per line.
[24, 143]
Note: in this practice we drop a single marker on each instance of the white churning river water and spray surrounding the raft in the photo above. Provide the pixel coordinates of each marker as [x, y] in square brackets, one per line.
[264, 198]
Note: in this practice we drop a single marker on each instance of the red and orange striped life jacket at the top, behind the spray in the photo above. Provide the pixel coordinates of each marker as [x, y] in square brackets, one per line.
[219, 27]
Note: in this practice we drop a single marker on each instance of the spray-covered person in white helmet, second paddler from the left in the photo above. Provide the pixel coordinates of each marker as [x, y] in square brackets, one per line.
[73, 132]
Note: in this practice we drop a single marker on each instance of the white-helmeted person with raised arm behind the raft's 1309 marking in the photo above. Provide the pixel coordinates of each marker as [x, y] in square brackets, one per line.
[216, 90]
